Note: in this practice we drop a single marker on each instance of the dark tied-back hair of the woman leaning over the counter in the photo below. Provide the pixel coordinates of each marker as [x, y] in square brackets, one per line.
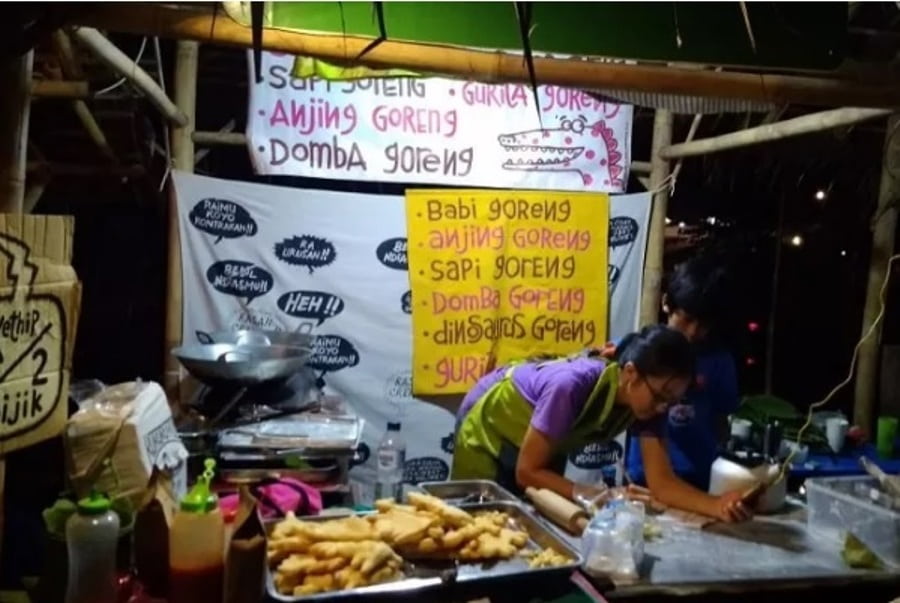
[657, 351]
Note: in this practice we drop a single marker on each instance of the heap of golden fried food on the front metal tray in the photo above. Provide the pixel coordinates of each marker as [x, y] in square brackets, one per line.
[310, 557]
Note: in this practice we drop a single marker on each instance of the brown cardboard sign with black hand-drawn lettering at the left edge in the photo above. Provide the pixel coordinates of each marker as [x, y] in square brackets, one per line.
[40, 299]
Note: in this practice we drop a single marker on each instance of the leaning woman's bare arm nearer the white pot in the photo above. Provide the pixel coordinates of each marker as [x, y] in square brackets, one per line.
[669, 489]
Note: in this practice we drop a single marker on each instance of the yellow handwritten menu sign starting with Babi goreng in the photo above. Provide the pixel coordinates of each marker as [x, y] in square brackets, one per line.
[502, 275]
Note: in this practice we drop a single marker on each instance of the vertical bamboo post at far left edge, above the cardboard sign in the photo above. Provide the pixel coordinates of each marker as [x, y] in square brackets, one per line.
[15, 108]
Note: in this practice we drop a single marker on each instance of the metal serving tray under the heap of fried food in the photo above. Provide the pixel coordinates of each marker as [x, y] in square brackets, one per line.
[427, 575]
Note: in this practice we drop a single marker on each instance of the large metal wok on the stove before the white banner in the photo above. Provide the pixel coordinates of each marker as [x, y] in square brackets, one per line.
[230, 364]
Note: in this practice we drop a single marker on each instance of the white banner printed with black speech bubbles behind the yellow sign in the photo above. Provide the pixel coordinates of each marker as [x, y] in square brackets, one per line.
[269, 257]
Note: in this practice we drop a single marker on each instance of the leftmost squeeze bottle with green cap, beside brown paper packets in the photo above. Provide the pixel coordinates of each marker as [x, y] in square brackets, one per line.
[92, 535]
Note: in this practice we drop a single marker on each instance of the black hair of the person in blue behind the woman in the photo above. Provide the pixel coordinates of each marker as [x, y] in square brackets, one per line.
[701, 287]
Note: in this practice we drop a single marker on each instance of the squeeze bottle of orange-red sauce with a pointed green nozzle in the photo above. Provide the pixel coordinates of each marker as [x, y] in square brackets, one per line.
[197, 546]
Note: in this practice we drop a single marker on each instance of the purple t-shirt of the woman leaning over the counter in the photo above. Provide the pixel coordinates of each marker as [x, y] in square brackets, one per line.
[558, 391]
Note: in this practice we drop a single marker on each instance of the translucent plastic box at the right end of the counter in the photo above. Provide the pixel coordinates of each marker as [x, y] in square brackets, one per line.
[837, 505]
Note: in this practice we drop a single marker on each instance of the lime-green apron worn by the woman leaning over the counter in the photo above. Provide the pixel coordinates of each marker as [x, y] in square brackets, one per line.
[489, 436]
